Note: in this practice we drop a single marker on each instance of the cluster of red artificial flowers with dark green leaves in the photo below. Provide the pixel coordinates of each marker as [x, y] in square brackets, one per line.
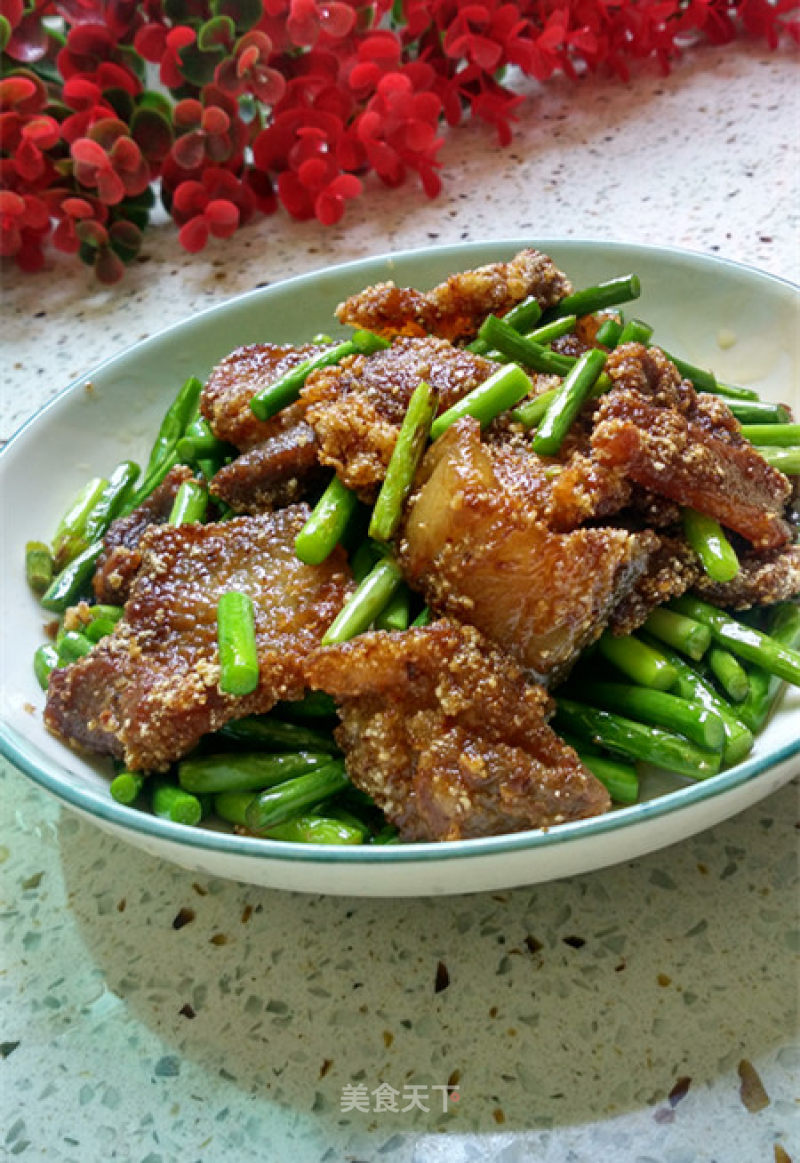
[282, 102]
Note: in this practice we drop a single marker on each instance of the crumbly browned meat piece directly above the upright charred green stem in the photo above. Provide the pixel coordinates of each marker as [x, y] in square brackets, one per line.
[356, 409]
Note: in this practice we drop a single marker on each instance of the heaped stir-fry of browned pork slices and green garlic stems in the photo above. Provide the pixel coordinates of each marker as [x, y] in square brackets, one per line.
[452, 577]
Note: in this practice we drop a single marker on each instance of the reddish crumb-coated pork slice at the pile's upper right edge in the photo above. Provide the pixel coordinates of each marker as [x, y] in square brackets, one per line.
[665, 437]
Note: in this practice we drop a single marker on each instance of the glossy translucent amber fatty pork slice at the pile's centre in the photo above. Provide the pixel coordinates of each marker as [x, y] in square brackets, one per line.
[482, 555]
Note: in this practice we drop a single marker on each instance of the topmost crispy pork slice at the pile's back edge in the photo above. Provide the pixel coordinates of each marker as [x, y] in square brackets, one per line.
[456, 309]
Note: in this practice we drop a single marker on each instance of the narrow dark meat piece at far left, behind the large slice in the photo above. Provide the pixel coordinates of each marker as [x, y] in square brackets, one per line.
[122, 559]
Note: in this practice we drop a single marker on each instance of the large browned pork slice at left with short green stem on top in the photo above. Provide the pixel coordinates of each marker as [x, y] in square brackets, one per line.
[149, 691]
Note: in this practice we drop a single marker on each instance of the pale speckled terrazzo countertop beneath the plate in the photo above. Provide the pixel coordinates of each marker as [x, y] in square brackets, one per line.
[642, 1015]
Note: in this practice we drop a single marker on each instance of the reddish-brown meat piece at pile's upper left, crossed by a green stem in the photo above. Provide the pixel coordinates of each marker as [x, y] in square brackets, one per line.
[226, 398]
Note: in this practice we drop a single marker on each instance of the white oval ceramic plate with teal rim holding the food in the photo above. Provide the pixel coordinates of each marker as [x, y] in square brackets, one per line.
[740, 322]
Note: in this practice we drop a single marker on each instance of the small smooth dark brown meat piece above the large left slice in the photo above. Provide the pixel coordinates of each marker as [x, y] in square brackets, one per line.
[272, 475]
